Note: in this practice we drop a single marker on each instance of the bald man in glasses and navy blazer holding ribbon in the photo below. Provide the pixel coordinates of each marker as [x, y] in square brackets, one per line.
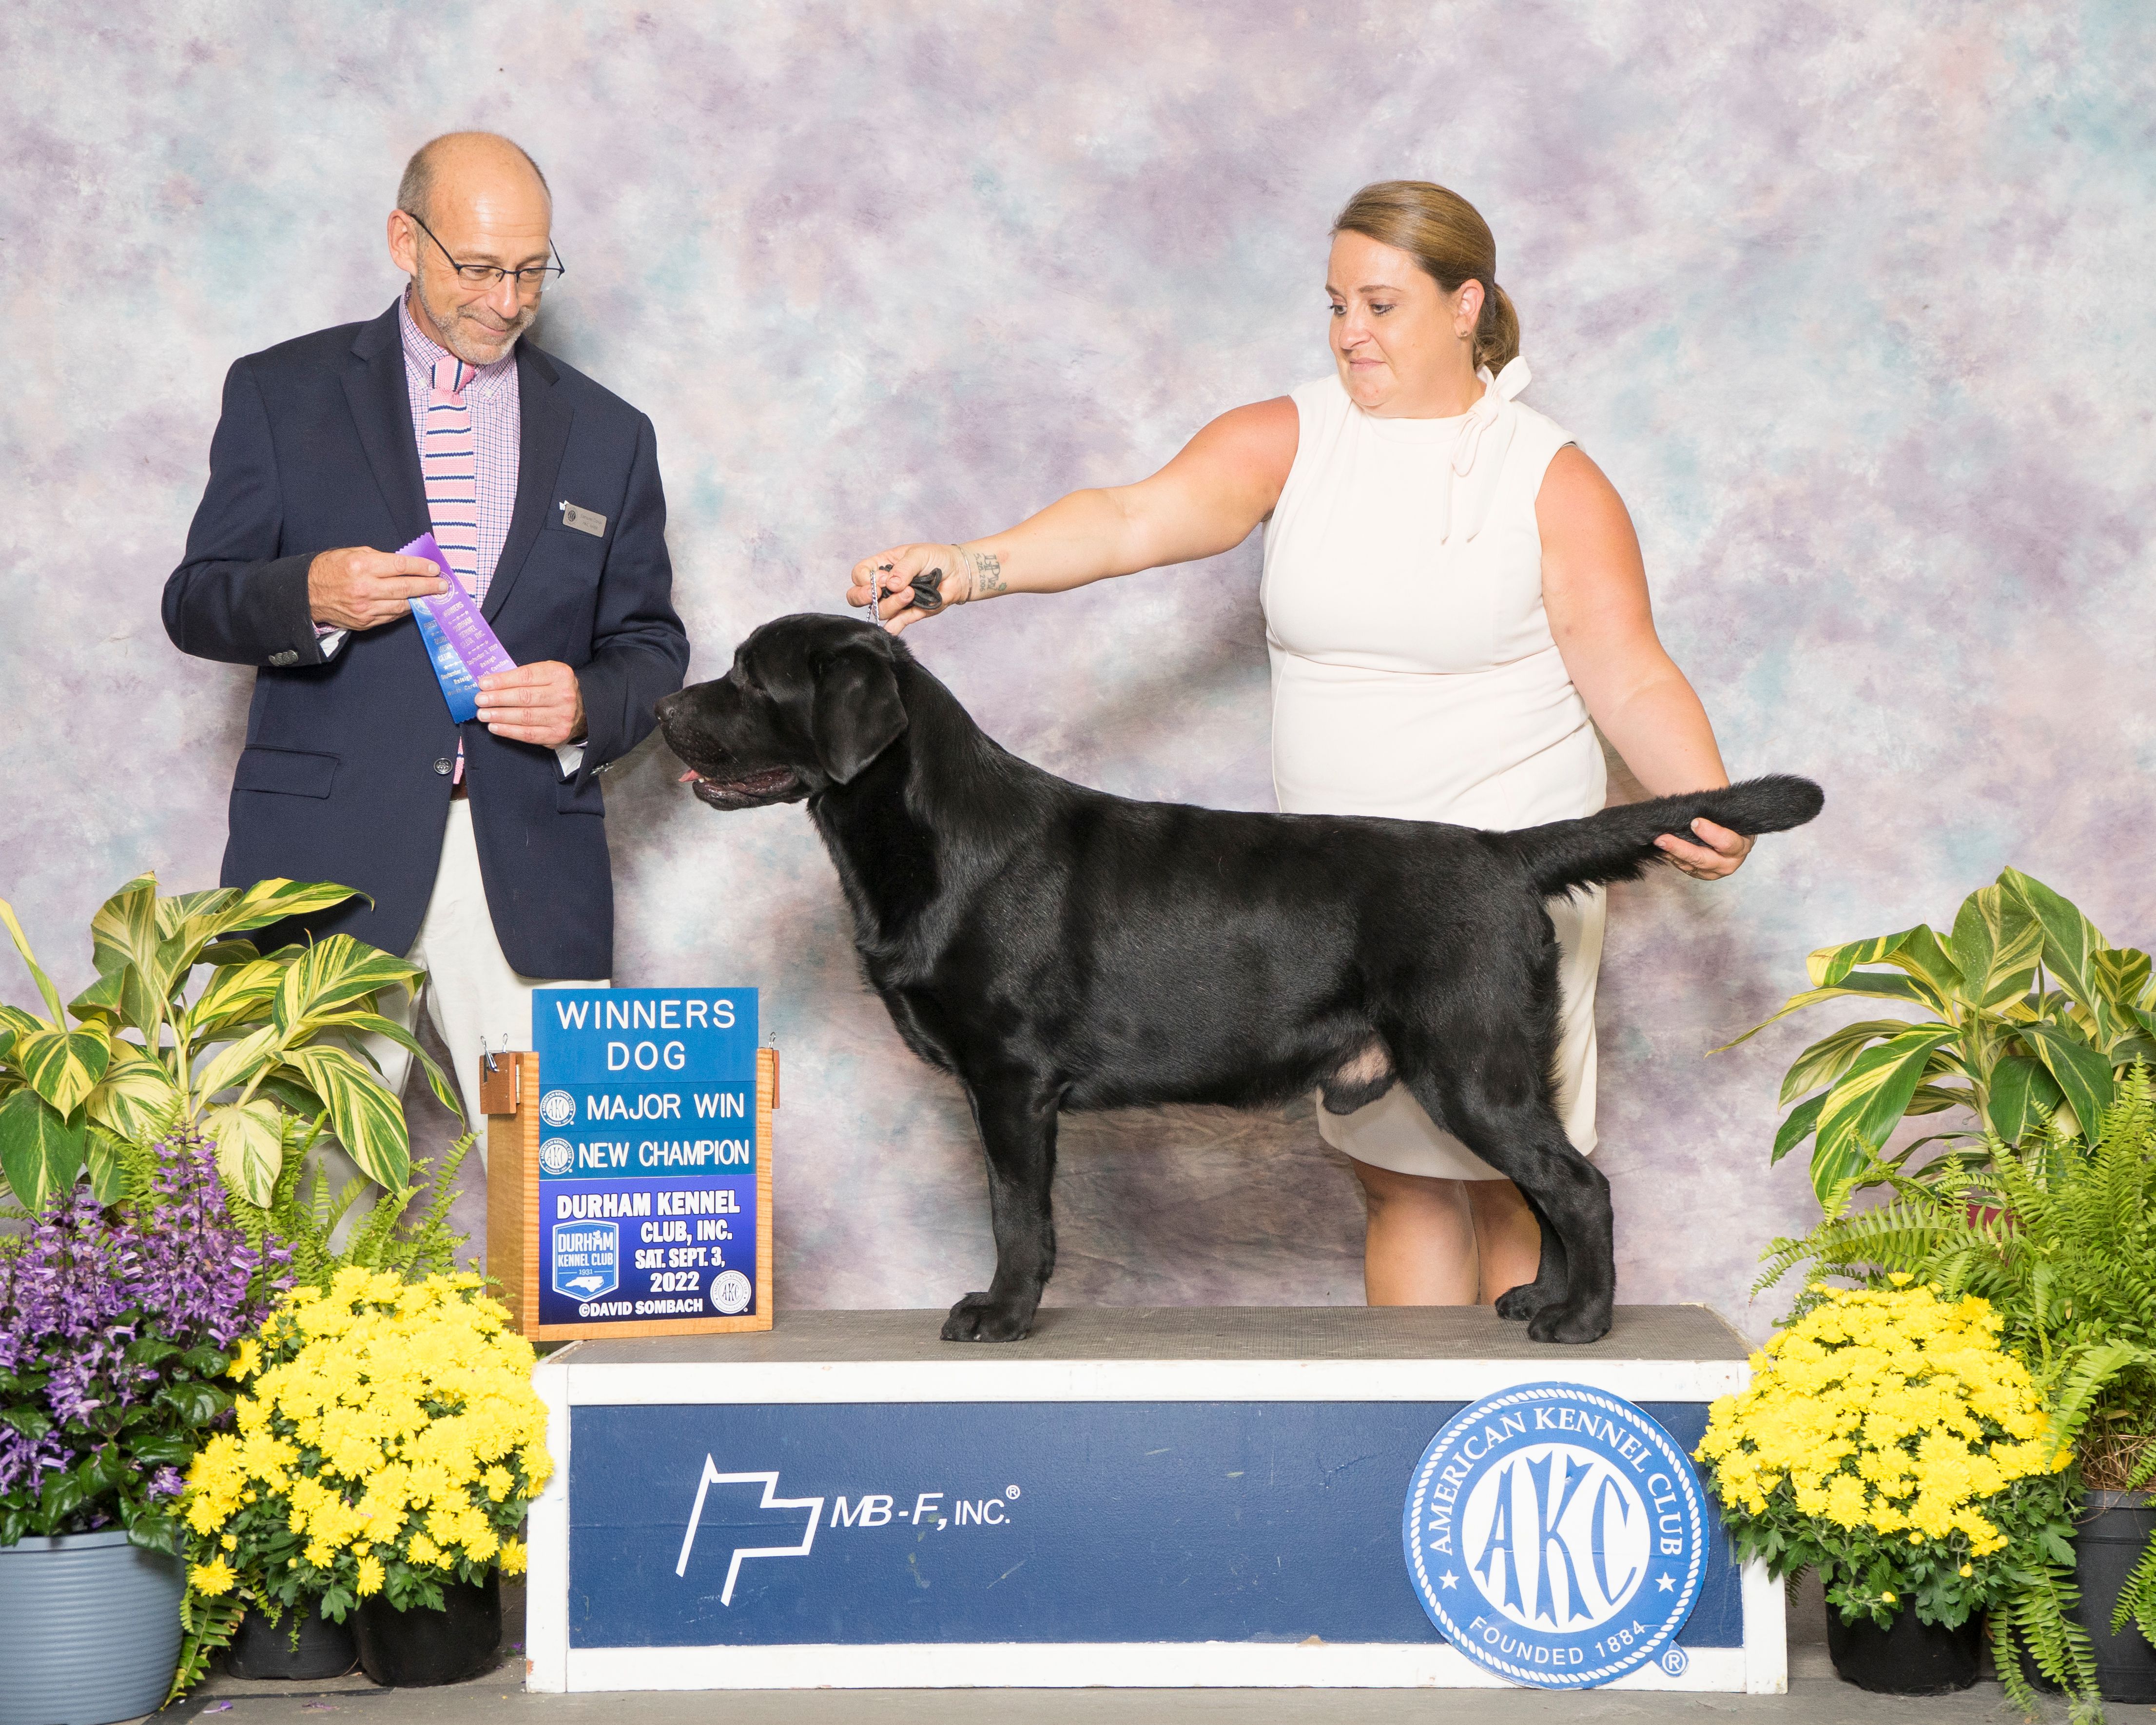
[482, 846]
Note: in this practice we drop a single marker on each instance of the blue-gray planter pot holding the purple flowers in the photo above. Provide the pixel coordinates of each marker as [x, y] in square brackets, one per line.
[92, 1629]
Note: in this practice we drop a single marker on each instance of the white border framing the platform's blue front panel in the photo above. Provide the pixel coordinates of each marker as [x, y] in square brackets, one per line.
[1758, 1668]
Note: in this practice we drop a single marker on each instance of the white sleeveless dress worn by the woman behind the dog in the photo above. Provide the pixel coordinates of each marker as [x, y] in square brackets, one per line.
[1415, 676]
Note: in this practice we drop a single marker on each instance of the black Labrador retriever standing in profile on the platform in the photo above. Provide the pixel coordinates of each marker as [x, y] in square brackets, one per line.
[1058, 948]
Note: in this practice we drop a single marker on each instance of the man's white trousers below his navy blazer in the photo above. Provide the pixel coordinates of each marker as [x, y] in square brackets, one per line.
[471, 993]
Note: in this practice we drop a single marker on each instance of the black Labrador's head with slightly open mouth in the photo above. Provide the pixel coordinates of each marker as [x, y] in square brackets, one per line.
[807, 704]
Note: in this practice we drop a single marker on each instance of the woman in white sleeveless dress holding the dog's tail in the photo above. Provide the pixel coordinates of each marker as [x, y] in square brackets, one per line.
[1454, 603]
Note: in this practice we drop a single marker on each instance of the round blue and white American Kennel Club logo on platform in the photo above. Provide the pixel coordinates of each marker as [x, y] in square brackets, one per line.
[1556, 1534]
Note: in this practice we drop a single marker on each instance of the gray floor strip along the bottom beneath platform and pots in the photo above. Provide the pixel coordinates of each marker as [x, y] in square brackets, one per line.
[1816, 1698]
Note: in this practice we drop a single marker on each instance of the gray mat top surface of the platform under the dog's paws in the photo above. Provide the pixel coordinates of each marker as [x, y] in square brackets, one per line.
[1191, 1334]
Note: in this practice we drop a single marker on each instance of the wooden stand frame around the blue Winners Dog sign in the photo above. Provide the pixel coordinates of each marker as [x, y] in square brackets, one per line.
[514, 1209]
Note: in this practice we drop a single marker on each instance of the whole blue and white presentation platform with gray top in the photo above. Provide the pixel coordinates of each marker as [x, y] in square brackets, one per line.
[1144, 1498]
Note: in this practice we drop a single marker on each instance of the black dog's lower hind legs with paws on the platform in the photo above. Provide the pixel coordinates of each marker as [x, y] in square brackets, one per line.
[1577, 1280]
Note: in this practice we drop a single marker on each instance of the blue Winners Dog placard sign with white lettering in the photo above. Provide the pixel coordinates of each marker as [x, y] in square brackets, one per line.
[648, 1155]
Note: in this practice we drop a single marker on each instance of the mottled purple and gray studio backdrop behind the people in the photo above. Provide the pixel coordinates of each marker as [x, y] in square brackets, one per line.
[1851, 301]
